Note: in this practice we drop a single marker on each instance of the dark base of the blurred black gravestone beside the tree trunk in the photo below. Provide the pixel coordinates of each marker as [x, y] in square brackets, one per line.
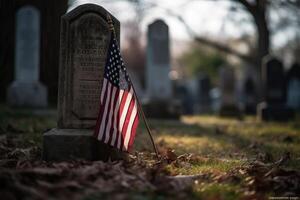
[280, 112]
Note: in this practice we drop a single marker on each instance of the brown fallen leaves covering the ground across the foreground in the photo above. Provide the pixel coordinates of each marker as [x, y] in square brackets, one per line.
[23, 175]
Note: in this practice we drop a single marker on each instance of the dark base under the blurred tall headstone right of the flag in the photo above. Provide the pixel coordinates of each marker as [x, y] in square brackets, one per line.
[162, 109]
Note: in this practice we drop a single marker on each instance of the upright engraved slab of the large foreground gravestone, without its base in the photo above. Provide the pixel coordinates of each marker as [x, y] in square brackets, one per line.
[85, 38]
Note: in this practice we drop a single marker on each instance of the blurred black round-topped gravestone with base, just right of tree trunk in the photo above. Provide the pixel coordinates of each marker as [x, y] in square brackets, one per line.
[273, 107]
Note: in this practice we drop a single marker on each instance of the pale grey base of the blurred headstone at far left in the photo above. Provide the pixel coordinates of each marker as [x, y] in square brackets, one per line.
[27, 94]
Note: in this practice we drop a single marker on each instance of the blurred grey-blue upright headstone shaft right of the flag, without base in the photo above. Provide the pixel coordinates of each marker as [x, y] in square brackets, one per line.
[158, 61]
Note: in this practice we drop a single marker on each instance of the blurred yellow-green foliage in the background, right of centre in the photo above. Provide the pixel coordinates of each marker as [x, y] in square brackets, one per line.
[202, 60]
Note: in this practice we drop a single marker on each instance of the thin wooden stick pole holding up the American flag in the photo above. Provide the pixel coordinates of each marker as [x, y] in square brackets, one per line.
[111, 27]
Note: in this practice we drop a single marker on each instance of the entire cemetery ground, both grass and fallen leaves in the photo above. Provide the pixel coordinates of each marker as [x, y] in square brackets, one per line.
[203, 157]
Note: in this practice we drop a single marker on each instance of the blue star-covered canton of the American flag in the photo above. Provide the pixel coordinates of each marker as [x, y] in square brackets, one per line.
[115, 70]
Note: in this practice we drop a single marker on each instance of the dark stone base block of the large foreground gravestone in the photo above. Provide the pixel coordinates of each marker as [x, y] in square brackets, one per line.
[70, 144]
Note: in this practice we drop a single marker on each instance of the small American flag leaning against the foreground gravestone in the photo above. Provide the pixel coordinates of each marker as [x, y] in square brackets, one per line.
[118, 116]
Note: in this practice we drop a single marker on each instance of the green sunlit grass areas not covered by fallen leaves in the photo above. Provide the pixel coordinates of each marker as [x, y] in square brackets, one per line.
[220, 144]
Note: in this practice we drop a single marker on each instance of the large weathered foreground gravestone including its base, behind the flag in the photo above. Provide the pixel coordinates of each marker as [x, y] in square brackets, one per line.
[85, 37]
